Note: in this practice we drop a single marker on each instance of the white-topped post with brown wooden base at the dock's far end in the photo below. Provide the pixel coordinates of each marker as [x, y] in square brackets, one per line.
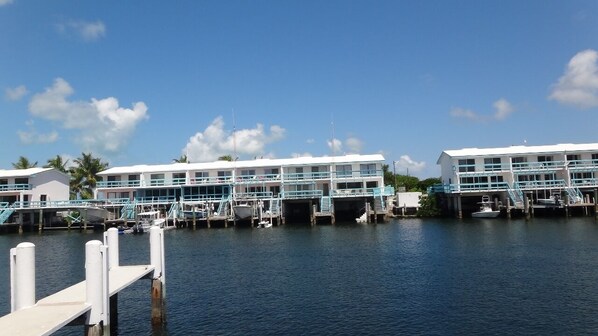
[158, 279]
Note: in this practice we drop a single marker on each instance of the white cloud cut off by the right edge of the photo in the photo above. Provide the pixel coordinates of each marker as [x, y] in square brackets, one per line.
[578, 86]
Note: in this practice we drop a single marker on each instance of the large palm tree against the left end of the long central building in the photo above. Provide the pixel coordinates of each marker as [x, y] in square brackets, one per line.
[84, 175]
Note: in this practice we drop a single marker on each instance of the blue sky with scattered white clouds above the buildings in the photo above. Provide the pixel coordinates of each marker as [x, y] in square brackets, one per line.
[146, 81]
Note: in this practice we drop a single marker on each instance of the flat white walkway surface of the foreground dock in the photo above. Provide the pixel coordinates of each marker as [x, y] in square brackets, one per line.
[53, 312]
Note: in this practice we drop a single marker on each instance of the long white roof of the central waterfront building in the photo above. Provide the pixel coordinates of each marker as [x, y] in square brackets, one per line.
[183, 167]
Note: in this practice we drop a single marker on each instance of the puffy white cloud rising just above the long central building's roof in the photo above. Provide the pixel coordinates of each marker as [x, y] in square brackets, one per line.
[215, 141]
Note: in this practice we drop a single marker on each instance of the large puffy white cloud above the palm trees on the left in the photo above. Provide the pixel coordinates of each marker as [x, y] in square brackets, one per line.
[101, 124]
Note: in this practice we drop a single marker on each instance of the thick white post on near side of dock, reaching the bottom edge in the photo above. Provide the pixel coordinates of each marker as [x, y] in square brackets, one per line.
[96, 288]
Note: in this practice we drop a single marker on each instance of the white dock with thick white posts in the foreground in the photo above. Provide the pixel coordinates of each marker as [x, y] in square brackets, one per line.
[87, 302]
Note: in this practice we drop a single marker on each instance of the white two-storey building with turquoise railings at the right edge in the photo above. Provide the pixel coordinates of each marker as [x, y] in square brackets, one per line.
[512, 171]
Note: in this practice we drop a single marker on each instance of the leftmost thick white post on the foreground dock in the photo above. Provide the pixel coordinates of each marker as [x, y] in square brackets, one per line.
[22, 276]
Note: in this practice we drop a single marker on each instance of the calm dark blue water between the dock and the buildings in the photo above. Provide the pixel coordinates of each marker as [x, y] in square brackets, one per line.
[430, 277]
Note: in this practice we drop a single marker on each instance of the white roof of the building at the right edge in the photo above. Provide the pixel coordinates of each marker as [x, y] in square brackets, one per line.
[522, 150]
